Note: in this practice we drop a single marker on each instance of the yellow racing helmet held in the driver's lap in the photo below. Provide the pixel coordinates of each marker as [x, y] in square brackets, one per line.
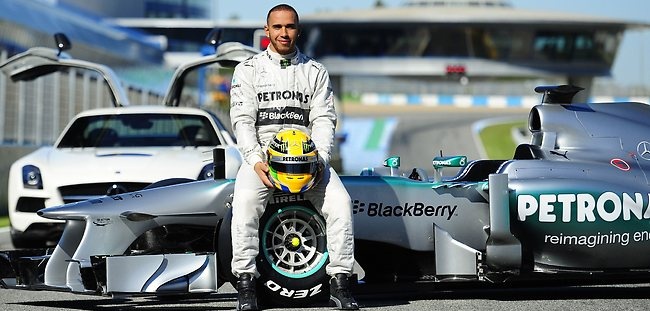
[293, 161]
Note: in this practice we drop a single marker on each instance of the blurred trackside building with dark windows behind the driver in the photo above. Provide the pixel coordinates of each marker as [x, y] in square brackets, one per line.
[426, 51]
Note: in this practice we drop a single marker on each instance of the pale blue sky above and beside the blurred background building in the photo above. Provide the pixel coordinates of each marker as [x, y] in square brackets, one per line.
[631, 67]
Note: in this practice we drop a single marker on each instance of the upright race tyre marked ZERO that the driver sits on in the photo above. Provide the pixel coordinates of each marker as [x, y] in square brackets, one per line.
[293, 255]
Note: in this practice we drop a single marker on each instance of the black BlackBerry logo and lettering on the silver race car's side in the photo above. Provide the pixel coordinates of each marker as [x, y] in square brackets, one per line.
[406, 209]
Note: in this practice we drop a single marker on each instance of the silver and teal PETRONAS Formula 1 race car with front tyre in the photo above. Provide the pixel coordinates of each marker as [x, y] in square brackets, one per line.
[574, 203]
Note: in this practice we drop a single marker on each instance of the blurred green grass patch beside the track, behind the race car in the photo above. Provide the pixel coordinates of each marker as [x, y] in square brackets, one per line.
[497, 139]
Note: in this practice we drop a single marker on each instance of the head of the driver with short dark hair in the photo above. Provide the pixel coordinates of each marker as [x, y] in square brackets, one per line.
[282, 30]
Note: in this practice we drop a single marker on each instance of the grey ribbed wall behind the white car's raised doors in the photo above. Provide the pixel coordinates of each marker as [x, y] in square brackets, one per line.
[35, 112]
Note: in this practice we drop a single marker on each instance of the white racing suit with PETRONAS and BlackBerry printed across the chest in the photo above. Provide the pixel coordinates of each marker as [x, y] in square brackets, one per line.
[270, 92]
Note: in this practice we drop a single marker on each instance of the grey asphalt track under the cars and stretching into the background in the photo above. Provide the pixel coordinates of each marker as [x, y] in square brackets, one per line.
[420, 134]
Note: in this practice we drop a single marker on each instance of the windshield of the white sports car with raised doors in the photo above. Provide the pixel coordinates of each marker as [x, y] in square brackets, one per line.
[140, 130]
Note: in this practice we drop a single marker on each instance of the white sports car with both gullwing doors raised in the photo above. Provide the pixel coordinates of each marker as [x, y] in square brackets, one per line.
[113, 150]
